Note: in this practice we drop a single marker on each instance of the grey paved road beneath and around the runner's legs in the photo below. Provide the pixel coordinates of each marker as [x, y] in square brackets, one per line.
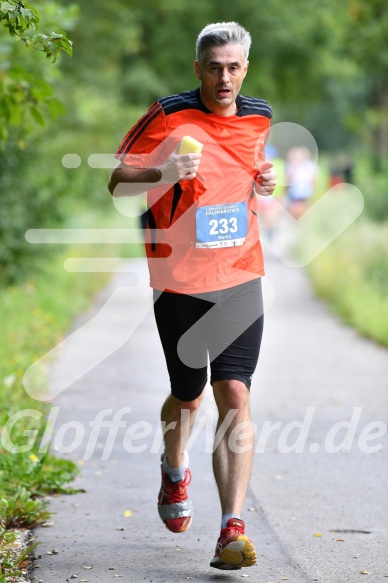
[312, 368]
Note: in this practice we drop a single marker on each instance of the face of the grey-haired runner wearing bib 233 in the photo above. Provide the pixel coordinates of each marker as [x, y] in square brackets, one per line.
[221, 74]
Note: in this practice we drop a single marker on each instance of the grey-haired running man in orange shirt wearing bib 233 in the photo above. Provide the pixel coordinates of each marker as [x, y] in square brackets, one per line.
[205, 262]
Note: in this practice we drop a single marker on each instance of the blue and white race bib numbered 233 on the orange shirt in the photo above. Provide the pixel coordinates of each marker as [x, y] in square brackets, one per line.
[222, 225]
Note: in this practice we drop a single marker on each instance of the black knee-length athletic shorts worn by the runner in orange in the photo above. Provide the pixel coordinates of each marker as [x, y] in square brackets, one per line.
[224, 327]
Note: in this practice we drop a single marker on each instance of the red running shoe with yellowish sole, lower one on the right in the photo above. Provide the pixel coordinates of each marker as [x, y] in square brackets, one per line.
[234, 550]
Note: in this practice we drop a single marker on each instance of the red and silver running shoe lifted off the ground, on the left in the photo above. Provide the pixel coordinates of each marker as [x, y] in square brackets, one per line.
[174, 506]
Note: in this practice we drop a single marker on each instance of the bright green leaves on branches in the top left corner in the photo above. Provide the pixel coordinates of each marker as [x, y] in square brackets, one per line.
[26, 91]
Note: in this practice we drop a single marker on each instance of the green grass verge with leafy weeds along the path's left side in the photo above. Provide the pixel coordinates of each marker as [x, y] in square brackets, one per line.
[34, 315]
